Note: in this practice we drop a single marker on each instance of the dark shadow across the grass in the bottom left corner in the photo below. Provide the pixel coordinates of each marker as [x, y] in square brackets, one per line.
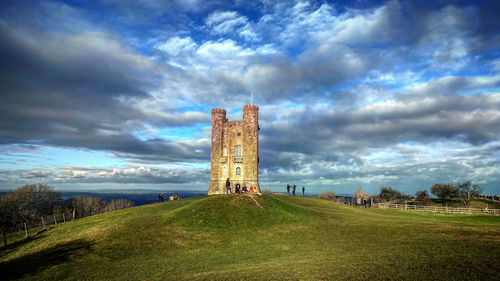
[32, 263]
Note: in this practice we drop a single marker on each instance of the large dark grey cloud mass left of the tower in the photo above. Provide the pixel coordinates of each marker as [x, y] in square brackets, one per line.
[83, 90]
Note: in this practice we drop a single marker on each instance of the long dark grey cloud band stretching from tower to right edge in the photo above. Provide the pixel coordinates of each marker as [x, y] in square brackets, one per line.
[475, 119]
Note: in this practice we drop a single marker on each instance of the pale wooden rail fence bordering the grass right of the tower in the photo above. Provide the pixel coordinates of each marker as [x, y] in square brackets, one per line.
[450, 210]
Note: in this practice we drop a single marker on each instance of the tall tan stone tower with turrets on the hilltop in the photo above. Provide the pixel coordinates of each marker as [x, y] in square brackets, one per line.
[235, 150]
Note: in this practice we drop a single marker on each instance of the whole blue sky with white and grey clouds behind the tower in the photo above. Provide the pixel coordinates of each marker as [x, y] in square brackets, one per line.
[118, 94]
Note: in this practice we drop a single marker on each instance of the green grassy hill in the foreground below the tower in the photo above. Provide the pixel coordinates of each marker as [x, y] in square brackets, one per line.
[266, 238]
